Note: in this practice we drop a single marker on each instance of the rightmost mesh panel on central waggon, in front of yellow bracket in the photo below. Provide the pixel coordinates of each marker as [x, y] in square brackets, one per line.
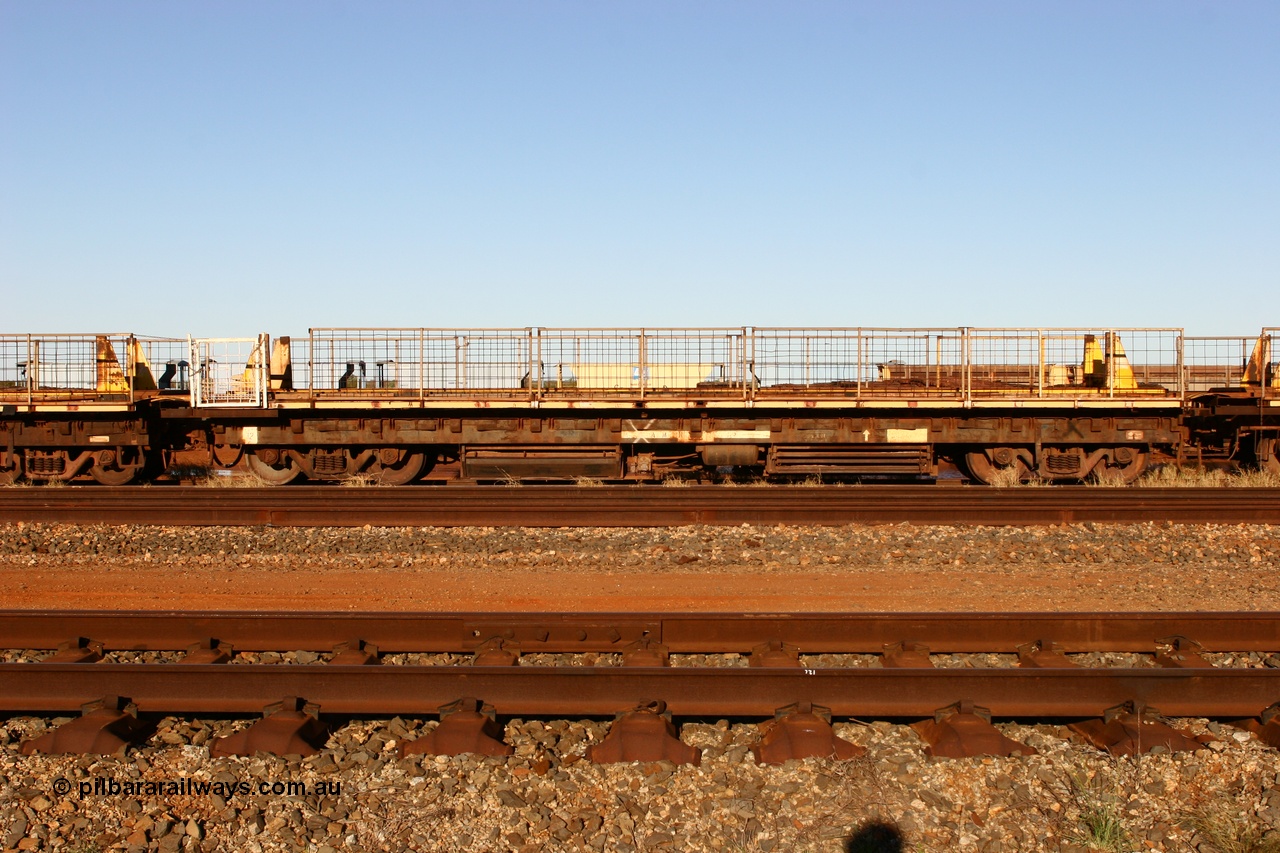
[1073, 362]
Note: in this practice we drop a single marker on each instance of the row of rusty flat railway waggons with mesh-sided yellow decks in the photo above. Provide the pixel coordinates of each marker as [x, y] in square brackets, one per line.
[644, 405]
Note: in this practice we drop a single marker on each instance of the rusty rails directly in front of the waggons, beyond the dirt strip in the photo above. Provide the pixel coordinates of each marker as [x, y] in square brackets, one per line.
[634, 507]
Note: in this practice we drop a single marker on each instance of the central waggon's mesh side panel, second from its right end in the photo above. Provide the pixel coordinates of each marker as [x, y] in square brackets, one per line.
[858, 362]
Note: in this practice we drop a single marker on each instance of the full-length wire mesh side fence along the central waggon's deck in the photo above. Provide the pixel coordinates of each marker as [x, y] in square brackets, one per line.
[927, 362]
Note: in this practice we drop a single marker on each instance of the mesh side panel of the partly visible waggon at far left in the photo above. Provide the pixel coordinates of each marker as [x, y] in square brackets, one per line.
[67, 367]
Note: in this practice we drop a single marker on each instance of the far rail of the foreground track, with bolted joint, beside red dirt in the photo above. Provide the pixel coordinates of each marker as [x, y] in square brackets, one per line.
[715, 633]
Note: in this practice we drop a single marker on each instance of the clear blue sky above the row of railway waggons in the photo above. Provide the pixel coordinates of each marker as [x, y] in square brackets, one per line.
[225, 168]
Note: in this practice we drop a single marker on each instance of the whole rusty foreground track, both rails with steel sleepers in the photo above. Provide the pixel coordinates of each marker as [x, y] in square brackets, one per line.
[643, 679]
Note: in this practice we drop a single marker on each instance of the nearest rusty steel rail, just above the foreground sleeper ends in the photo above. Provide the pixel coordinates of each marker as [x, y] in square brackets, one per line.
[605, 691]
